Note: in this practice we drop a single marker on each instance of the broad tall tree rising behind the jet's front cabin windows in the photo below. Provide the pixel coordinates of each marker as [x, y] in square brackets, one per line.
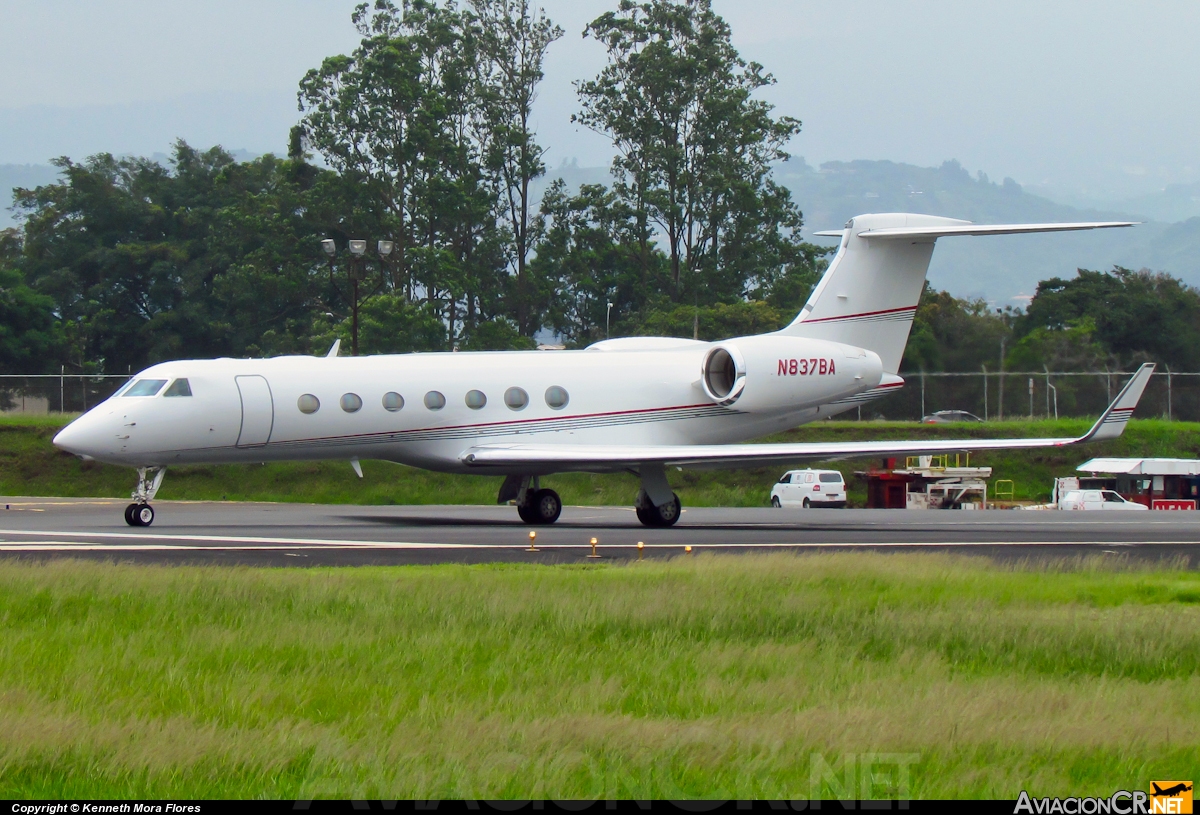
[430, 116]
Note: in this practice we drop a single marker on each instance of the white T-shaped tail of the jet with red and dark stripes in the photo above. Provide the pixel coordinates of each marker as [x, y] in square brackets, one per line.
[871, 292]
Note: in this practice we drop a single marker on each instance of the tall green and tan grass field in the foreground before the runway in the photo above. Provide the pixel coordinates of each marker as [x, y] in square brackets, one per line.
[773, 676]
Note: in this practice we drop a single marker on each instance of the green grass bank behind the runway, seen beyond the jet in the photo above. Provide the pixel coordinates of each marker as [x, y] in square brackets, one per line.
[32, 466]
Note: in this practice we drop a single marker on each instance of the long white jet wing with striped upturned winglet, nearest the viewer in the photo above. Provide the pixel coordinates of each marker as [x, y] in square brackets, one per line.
[596, 458]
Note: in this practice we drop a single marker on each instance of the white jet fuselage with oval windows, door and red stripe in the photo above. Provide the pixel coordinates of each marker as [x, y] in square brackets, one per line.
[425, 410]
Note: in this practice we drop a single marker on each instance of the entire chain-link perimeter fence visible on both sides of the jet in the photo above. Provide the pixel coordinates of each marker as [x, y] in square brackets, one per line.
[1171, 395]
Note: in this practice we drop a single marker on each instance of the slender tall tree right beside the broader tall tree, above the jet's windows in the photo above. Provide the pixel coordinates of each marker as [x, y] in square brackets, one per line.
[513, 44]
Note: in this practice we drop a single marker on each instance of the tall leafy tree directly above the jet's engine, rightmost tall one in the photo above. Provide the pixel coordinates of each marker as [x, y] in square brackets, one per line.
[694, 148]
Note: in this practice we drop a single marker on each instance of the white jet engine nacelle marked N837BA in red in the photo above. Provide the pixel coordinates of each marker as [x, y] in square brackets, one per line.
[773, 373]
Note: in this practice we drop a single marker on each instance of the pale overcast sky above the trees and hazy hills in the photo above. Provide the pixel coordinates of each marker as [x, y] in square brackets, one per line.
[1095, 98]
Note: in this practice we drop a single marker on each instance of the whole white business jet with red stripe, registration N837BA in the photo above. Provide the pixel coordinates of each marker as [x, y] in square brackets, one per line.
[639, 405]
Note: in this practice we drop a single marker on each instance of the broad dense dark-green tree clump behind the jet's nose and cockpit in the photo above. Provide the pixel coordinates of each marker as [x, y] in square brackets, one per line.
[207, 257]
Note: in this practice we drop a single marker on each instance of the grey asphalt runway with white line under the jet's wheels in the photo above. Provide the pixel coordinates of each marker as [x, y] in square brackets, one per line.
[319, 535]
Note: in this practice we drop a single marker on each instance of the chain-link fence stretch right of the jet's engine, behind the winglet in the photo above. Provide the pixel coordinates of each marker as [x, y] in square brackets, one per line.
[1029, 394]
